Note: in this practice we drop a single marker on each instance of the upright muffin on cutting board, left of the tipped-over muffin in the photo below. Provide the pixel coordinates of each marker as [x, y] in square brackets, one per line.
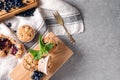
[29, 63]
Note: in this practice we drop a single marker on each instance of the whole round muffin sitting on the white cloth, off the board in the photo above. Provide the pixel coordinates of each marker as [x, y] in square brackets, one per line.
[25, 33]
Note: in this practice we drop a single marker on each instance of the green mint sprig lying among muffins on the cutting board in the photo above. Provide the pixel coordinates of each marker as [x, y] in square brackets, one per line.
[44, 49]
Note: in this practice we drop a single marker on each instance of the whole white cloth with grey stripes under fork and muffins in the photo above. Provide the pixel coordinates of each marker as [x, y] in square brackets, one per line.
[43, 22]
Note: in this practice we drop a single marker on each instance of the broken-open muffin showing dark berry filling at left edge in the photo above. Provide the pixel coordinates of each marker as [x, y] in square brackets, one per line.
[10, 46]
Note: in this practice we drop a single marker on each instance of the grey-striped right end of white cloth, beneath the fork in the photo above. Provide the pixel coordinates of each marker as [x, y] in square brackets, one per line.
[72, 17]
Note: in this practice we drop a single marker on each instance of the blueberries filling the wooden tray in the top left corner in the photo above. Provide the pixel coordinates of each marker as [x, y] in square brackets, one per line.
[7, 5]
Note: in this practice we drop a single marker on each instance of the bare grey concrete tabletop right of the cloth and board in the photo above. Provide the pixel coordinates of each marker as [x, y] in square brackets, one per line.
[97, 51]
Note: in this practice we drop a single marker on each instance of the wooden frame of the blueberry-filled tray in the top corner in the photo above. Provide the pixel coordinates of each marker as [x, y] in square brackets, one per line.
[5, 15]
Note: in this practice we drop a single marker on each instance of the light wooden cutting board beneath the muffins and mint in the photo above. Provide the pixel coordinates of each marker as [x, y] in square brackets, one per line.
[60, 56]
